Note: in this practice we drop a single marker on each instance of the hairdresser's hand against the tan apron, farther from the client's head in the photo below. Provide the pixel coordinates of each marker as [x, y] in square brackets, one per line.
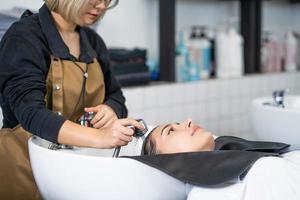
[104, 116]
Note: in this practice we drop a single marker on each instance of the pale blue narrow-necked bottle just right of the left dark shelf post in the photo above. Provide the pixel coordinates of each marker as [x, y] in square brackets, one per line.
[181, 61]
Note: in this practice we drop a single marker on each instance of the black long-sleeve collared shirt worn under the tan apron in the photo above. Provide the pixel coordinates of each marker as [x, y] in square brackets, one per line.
[25, 51]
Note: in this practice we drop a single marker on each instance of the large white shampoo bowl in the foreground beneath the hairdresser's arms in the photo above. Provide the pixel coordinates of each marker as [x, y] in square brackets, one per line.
[92, 174]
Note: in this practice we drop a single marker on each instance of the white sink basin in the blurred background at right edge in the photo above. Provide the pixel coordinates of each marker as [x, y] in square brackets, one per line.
[271, 123]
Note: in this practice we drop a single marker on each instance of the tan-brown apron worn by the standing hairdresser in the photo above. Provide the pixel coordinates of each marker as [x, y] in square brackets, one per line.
[65, 95]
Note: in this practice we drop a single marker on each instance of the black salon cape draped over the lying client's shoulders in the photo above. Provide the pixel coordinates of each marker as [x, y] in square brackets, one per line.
[232, 159]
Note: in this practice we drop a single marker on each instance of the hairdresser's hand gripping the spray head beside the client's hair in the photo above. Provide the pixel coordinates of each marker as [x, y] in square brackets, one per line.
[118, 133]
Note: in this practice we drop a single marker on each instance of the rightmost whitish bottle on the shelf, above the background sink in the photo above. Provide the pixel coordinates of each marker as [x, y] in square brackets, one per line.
[290, 52]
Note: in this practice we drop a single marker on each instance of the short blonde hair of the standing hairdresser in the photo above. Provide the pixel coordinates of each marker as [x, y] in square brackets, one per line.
[68, 9]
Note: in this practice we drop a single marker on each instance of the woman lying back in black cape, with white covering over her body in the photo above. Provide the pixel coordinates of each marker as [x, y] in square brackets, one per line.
[225, 167]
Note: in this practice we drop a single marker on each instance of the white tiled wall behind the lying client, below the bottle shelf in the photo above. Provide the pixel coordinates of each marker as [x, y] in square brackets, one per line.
[221, 106]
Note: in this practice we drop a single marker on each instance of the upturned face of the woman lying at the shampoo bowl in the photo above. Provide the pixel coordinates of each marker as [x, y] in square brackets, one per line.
[180, 137]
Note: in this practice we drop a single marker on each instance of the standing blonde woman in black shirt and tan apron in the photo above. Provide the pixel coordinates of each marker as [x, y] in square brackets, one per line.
[53, 69]
